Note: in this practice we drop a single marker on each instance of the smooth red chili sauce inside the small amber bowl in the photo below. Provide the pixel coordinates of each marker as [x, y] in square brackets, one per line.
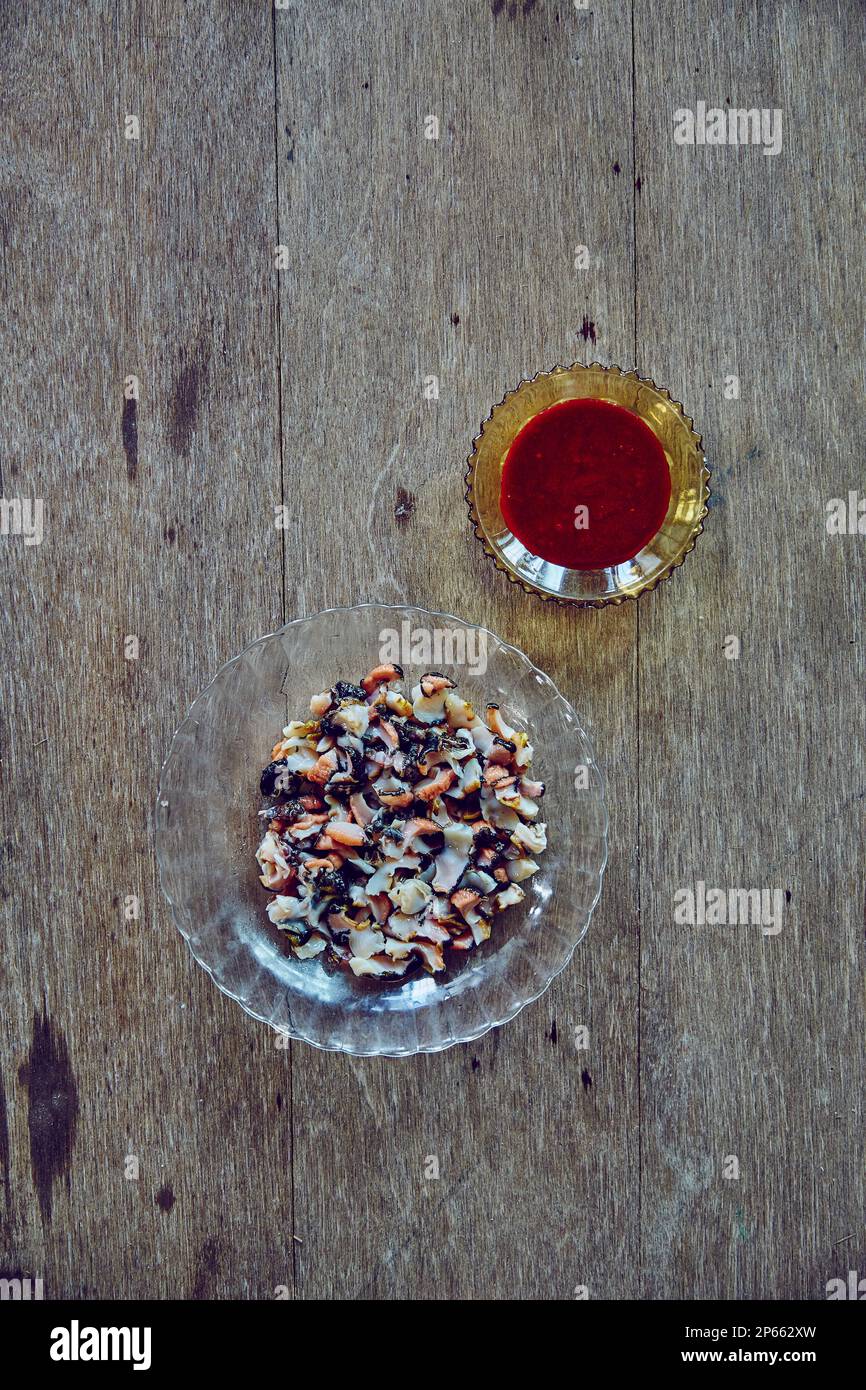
[586, 455]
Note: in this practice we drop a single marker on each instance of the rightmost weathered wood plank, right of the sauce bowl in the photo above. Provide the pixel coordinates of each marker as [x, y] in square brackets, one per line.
[753, 768]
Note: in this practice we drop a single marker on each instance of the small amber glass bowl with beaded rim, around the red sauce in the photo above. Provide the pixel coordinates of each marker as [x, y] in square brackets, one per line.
[689, 494]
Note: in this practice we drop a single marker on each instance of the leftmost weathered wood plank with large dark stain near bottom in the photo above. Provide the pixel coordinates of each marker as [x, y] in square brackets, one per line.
[149, 259]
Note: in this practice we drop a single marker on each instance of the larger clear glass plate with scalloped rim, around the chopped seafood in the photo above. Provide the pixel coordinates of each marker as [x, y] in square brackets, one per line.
[208, 831]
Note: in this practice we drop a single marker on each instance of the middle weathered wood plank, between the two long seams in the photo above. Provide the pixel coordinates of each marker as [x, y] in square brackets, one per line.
[455, 258]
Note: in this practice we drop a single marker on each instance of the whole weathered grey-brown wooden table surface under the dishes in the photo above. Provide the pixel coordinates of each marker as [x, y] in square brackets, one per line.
[154, 1140]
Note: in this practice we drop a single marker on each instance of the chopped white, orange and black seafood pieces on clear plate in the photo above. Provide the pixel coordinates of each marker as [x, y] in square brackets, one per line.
[400, 825]
